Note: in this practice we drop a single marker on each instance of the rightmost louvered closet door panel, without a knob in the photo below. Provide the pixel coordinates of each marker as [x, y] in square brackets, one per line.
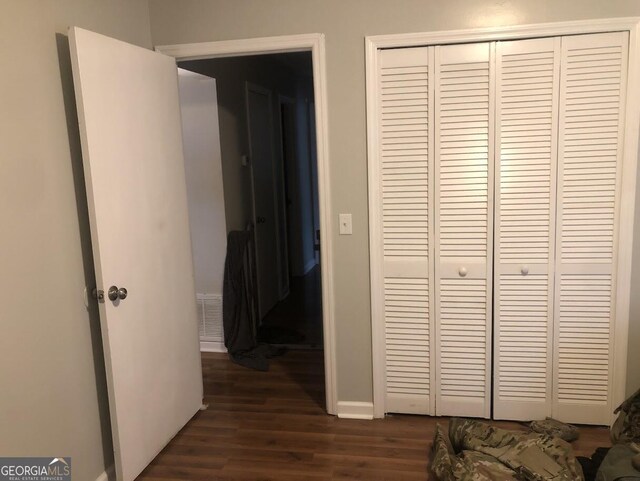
[592, 97]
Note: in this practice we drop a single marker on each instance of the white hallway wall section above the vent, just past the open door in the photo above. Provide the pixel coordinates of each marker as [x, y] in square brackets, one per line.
[203, 167]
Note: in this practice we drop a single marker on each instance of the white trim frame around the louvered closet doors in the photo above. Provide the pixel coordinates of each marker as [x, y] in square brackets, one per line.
[628, 187]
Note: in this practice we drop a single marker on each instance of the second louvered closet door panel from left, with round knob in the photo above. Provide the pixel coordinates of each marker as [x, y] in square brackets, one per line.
[463, 221]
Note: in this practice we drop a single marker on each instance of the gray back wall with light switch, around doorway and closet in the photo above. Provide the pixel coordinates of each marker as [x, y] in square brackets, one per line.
[345, 24]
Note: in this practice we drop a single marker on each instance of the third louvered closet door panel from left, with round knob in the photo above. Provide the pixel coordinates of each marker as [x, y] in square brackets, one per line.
[527, 81]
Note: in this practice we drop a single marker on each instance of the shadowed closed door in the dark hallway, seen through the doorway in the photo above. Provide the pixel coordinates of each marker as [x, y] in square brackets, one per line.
[266, 219]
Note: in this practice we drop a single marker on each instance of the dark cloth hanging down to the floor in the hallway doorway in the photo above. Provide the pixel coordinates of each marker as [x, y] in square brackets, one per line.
[239, 311]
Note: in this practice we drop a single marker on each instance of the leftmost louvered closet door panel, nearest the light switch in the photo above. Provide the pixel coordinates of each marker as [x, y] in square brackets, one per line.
[405, 155]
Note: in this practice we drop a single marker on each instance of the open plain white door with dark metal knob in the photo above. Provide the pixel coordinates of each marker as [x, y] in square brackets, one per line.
[129, 118]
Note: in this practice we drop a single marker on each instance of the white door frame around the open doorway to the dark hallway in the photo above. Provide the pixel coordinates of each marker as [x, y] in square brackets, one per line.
[315, 44]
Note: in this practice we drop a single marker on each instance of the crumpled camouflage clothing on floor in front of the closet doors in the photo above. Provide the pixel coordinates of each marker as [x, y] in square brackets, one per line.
[477, 451]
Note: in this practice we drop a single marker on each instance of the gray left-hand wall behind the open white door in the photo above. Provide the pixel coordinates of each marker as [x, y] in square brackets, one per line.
[53, 396]
